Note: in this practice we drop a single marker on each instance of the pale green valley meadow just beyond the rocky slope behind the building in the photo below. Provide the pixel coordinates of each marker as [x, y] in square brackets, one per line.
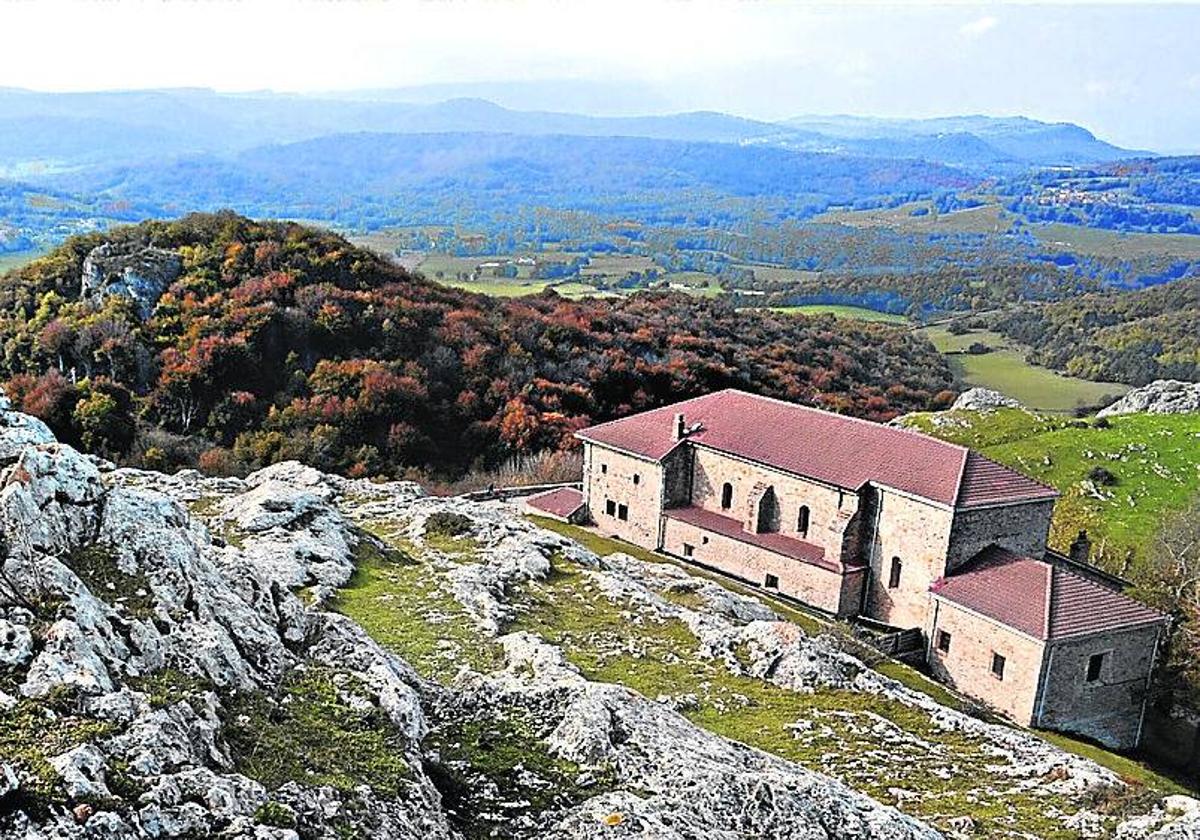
[1007, 371]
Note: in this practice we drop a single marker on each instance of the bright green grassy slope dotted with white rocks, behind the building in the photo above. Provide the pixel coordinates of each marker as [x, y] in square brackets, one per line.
[1154, 458]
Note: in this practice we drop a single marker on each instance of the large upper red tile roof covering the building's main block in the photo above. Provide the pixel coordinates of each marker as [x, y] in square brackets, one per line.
[831, 448]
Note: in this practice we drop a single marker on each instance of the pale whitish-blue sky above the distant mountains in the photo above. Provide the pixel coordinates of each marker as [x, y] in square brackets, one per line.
[1129, 73]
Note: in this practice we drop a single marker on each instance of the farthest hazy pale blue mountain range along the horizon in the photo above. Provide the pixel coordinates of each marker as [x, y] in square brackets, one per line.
[41, 131]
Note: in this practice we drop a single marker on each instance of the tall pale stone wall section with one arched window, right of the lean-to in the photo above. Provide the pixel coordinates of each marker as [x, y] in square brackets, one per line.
[919, 535]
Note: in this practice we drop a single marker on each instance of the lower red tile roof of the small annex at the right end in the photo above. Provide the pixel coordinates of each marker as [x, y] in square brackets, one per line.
[1041, 599]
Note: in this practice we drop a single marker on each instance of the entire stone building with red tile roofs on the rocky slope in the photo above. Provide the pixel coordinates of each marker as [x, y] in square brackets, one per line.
[863, 520]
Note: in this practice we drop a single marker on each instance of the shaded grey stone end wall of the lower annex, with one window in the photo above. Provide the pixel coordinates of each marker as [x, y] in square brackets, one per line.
[1108, 710]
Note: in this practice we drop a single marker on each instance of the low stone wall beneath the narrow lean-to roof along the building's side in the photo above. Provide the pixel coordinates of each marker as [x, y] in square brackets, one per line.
[825, 590]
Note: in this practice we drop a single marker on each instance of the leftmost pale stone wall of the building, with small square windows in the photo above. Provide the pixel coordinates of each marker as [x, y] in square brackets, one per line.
[626, 481]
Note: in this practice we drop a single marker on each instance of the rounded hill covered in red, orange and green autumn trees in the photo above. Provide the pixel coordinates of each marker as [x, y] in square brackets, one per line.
[272, 341]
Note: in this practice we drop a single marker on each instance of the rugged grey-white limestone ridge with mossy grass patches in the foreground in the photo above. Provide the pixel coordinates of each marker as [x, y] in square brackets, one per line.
[173, 664]
